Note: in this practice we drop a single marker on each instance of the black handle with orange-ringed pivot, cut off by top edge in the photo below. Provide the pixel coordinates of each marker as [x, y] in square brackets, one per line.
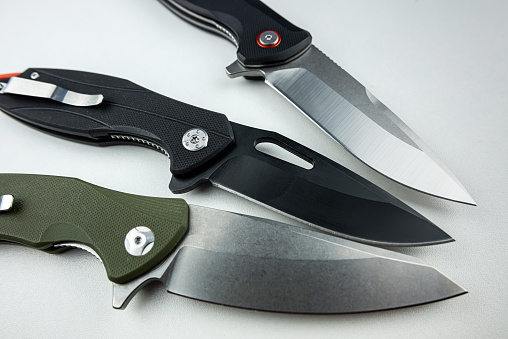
[245, 20]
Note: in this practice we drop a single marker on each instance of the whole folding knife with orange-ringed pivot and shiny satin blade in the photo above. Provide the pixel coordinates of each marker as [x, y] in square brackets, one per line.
[272, 48]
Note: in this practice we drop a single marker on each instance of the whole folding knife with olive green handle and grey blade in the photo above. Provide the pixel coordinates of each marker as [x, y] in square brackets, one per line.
[211, 255]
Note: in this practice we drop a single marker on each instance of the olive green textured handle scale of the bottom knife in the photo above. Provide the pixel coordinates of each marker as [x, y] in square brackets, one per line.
[49, 210]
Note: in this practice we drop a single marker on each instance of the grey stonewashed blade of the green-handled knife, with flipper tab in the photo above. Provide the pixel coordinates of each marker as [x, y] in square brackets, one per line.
[261, 264]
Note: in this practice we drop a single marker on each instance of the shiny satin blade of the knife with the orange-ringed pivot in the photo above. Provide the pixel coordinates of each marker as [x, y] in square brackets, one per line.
[348, 113]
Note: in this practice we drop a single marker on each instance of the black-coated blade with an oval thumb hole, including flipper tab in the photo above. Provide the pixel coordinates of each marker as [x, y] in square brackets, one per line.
[328, 196]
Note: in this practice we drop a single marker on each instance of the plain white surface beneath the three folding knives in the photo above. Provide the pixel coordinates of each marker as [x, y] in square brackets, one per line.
[441, 66]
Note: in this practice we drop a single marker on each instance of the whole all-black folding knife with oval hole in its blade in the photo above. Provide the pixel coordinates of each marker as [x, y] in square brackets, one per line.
[205, 147]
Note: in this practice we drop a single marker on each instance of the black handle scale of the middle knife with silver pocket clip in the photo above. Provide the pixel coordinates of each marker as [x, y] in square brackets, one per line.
[130, 111]
